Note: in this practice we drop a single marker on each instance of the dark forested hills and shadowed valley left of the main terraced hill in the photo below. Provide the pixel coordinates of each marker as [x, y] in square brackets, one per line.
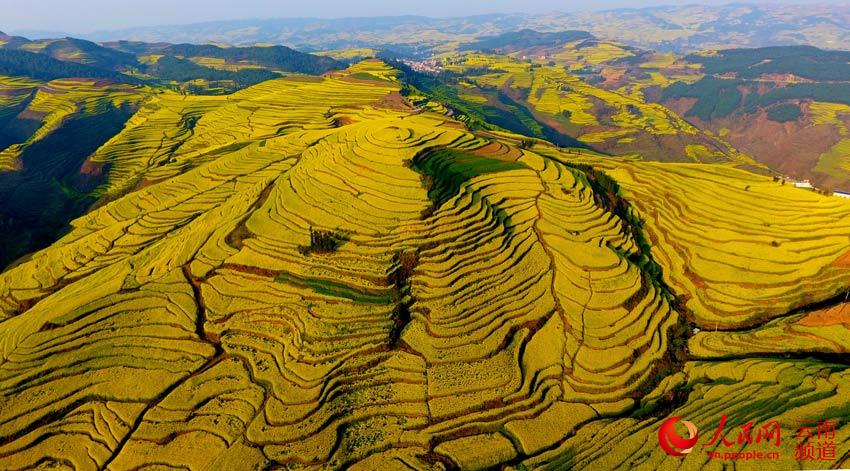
[52, 90]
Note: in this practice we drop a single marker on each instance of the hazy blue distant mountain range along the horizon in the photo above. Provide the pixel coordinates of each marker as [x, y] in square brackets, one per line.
[671, 28]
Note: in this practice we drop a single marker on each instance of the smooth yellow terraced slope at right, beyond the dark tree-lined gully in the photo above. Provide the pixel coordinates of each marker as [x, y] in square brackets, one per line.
[741, 247]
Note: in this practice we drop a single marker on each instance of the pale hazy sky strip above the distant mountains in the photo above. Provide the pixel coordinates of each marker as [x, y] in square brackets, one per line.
[76, 16]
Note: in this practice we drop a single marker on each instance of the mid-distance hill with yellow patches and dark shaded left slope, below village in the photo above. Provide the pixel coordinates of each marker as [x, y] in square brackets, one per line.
[535, 96]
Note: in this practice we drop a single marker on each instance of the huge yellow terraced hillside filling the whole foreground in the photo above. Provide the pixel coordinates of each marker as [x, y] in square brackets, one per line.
[313, 274]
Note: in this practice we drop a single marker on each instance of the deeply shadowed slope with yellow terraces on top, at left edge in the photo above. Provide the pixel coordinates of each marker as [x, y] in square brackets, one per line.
[47, 130]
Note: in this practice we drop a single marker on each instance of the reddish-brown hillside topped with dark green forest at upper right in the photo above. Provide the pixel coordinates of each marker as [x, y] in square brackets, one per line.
[784, 106]
